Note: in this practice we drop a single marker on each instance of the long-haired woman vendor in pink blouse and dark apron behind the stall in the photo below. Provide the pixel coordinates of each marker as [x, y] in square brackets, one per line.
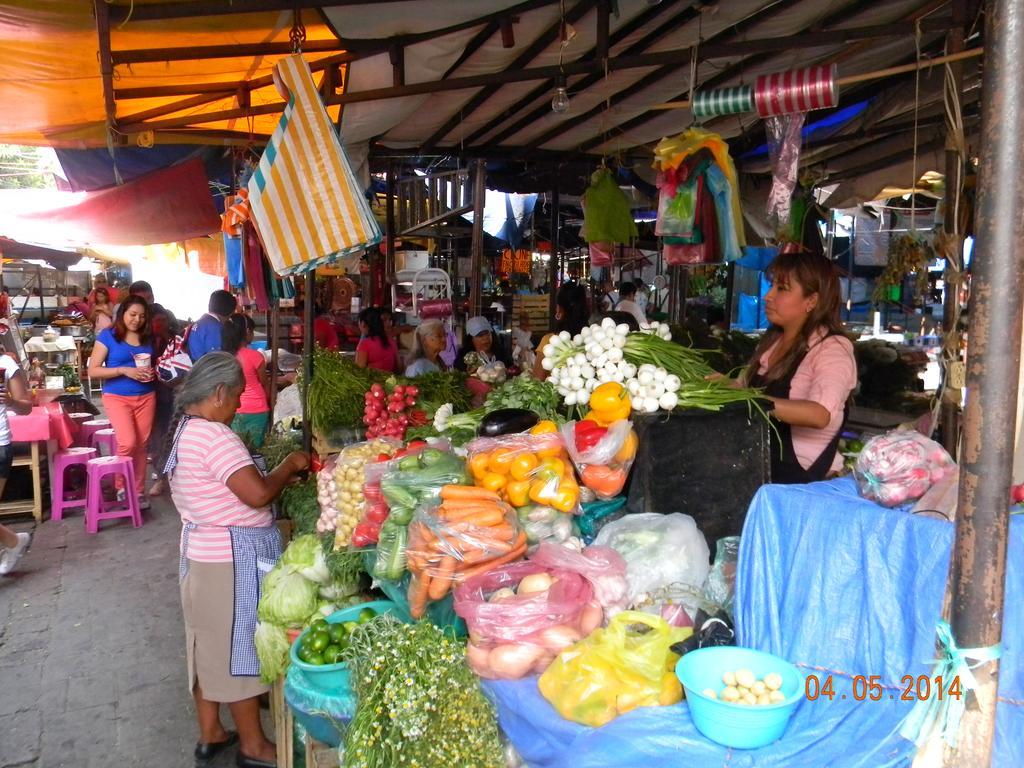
[806, 367]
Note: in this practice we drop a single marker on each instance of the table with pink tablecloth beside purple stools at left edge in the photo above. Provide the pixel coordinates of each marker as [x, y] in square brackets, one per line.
[46, 431]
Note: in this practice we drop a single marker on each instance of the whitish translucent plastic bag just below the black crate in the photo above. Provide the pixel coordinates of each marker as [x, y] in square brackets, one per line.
[660, 551]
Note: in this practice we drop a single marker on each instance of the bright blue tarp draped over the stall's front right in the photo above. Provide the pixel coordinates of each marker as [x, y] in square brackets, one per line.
[826, 580]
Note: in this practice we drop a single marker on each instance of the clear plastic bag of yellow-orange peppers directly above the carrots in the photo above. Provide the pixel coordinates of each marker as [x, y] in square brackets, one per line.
[527, 470]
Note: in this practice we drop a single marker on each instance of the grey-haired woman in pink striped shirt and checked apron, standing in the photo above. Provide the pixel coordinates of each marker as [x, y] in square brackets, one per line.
[229, 542]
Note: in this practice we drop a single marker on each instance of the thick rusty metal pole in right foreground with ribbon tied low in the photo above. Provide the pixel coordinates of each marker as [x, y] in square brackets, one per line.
[984, 520]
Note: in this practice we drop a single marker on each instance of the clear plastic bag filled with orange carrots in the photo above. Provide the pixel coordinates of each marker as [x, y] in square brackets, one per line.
[448, 546]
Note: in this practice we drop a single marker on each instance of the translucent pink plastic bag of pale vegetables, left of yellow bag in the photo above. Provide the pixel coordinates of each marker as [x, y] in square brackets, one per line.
[521, 616]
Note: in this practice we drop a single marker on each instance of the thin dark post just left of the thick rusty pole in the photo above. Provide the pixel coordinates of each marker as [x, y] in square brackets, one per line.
[951, 227]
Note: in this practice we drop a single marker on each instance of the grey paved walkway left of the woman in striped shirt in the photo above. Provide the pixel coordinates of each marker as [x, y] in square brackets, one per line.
[93, 671]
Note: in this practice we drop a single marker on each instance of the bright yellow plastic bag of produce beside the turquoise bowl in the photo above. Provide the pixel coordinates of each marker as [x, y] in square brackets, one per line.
[615, 670]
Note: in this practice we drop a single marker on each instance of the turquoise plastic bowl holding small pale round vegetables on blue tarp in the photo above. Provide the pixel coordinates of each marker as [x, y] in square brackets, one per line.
[736, 726]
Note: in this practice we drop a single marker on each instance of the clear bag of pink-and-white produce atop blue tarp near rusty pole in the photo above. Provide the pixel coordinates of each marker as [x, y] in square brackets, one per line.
[901, 467]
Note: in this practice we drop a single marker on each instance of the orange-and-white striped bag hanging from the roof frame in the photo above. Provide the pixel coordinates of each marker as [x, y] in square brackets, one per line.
[307, 204]
